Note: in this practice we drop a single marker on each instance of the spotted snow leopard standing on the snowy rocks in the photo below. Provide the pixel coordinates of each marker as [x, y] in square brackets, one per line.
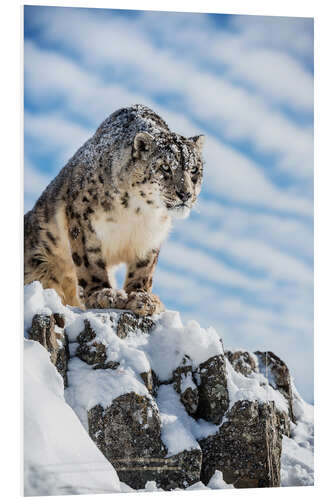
[112, 203]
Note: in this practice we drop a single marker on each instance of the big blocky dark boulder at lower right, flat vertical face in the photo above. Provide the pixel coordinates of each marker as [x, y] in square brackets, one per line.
[247, 448]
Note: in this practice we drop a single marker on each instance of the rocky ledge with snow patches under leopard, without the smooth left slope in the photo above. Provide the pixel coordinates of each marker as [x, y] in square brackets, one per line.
[166, 403]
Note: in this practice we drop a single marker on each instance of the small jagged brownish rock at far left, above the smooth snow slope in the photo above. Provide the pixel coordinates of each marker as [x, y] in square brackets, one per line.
[45, 330]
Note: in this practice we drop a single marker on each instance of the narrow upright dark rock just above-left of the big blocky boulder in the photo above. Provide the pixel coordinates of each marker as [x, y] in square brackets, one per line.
[211, 380]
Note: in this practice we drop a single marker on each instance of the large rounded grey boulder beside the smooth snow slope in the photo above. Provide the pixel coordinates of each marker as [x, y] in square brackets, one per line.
[128, 433]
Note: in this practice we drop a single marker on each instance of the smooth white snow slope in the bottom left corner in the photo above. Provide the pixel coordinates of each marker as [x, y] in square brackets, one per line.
[52, 467]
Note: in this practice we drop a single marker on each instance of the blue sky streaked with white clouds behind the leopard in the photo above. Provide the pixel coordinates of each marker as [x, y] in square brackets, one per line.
[243, 261]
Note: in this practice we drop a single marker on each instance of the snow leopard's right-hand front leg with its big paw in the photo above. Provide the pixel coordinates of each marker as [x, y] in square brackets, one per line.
[138, 286]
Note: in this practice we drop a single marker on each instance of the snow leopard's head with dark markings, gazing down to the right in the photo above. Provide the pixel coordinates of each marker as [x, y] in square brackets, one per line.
[174, 167]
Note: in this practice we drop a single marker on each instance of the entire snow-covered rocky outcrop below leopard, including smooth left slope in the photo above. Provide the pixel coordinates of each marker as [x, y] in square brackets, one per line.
[158, 400]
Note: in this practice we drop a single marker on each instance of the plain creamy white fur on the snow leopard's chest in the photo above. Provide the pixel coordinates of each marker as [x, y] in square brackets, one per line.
[127, 235]
